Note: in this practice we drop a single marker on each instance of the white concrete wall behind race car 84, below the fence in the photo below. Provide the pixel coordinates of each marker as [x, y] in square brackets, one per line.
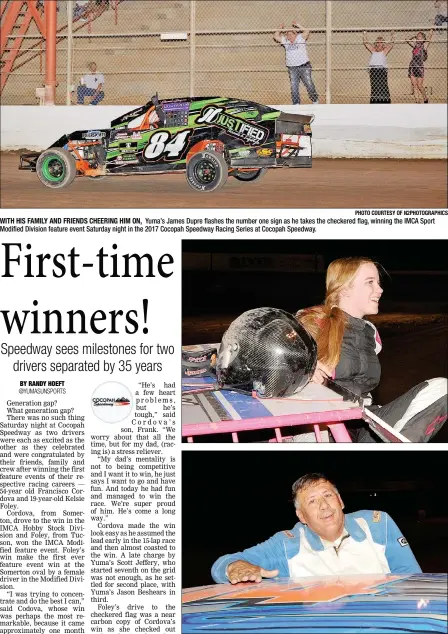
[339, 131]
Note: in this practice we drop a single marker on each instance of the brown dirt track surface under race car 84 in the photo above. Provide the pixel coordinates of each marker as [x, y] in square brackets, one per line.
[330, 183]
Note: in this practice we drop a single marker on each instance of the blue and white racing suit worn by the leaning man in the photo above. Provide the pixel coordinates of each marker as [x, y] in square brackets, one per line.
[371, 543]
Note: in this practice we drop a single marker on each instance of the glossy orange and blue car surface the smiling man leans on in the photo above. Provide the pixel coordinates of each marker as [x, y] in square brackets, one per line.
[359, 604]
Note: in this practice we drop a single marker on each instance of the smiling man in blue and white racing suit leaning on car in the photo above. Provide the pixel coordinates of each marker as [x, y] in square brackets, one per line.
[324, 542]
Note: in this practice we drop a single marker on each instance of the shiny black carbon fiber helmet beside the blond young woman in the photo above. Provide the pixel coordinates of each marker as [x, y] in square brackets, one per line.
[266, 350]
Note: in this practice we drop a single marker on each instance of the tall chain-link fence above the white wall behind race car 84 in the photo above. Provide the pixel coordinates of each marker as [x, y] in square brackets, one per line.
[226, 47]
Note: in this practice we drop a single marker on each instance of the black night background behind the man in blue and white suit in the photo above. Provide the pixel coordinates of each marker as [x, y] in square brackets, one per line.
[232, 500]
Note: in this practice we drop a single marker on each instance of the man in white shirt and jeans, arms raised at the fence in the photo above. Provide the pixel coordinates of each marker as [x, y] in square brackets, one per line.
[297, 61]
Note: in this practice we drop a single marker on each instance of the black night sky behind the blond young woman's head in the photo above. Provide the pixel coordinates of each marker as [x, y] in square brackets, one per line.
[236, 290]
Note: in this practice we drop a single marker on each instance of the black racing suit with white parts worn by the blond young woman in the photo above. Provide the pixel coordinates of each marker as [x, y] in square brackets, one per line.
[418, 414]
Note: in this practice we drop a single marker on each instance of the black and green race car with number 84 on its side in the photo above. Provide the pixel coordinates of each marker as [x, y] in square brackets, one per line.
[208, 139]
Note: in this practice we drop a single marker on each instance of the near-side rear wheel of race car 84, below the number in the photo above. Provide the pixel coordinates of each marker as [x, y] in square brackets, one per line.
[207, 171]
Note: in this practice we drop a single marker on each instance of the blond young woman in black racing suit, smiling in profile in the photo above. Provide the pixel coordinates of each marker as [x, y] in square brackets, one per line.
[348, 346]
